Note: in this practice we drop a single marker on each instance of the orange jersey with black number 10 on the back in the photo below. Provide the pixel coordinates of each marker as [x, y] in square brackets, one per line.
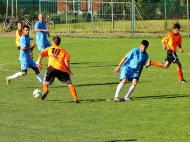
[57, 57]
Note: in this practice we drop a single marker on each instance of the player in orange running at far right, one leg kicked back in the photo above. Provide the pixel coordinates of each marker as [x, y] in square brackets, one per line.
[171, 41]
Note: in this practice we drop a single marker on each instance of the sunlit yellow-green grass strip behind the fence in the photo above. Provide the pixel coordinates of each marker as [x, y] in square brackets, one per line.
[100, 26]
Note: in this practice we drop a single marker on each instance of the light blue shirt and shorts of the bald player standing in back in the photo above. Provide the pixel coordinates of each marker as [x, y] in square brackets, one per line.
[41, 39]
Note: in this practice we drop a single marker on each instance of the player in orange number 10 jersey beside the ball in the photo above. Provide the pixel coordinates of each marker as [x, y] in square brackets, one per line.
[58, 66]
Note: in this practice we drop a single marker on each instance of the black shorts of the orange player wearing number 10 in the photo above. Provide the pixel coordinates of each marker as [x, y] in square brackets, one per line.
[51, 73]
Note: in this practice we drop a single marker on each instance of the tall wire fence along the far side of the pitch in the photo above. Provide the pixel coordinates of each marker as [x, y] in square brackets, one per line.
[108, 16]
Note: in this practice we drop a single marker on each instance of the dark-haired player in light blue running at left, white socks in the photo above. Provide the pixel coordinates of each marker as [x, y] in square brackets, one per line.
[25, 58]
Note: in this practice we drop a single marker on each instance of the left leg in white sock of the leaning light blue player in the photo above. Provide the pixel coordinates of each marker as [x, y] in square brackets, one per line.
[118, 90]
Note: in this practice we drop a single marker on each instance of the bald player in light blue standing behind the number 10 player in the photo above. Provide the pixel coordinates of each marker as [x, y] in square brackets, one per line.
[41, 34]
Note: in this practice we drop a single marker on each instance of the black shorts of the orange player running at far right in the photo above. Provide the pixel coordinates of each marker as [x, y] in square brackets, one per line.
[172, 57]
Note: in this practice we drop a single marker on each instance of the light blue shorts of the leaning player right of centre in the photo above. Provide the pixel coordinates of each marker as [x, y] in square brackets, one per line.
[128, 74]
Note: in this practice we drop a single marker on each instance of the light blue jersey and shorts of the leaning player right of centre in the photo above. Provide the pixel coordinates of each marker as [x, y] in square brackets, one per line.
[133, 64]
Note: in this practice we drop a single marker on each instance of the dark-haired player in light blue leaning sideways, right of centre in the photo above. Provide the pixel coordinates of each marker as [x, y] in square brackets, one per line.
[130, 67]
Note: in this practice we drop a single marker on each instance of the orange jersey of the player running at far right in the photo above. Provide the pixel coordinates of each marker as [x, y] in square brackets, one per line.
[172, 41]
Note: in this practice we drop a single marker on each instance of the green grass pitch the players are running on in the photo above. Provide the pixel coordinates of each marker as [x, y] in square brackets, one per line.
[159, 110]
